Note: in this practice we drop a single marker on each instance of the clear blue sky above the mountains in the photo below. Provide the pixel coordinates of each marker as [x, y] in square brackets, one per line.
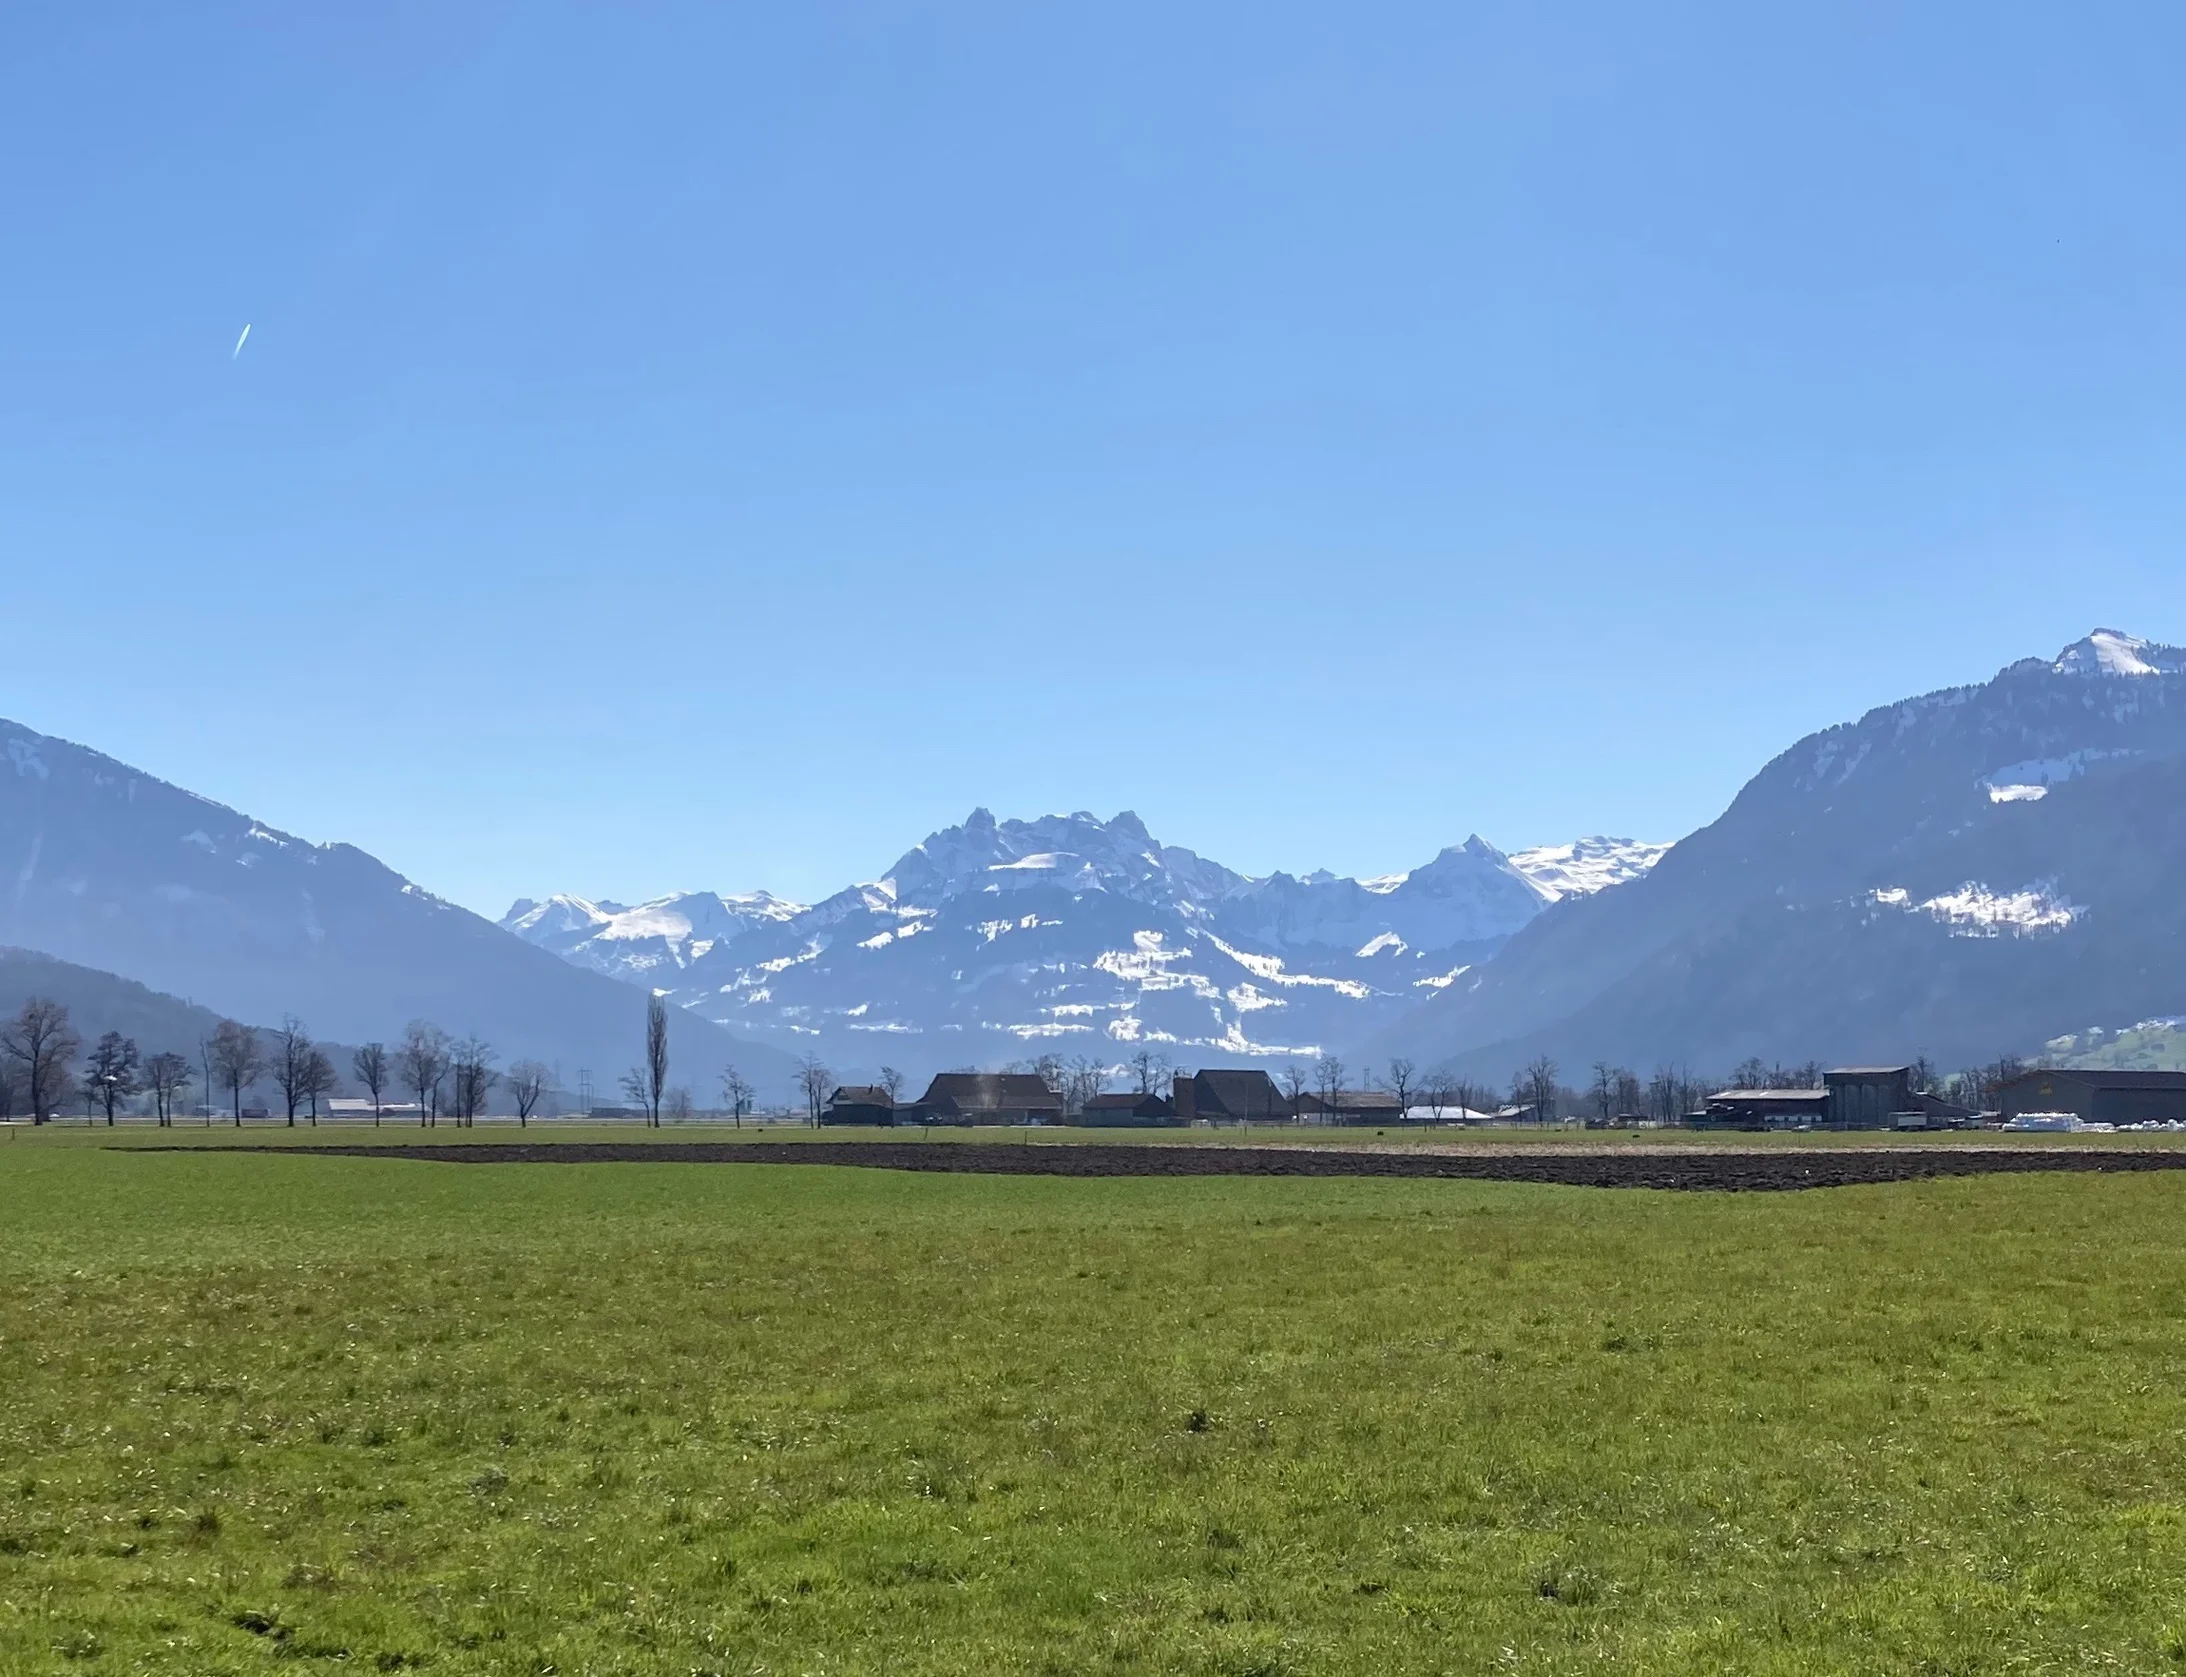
[707, 445]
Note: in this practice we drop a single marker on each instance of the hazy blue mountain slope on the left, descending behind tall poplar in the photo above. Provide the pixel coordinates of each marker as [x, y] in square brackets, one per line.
[126, 873]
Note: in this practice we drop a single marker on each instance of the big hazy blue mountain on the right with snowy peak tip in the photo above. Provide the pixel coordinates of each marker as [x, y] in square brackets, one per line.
[1958, 873]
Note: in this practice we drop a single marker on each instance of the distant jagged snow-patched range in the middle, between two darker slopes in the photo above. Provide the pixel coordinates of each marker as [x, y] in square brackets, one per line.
[1072, 935]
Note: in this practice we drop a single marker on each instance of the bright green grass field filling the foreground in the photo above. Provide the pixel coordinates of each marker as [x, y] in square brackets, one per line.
[386, 1416]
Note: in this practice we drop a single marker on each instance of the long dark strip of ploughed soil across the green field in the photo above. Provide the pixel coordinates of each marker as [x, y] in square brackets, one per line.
[1691, 1171]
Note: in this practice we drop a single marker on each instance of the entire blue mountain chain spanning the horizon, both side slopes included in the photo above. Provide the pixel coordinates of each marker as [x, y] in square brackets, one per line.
[1975, 871]
